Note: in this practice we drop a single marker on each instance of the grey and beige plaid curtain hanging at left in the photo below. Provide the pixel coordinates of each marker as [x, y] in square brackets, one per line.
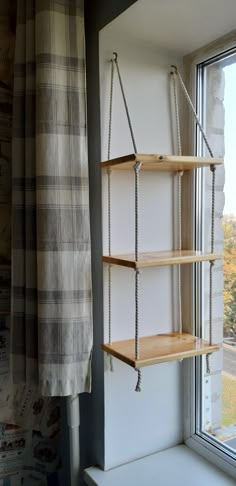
[51, 332]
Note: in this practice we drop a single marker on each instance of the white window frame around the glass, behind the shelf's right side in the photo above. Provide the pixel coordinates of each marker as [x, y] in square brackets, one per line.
[204, 444]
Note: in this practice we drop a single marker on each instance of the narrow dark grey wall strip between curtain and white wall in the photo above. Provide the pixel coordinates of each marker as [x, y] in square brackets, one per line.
[98, 13]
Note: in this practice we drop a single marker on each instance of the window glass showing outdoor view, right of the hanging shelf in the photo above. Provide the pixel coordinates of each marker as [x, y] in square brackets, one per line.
[218, 416]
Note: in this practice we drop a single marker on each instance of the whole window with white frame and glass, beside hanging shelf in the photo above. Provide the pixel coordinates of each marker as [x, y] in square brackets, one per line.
[214, 427]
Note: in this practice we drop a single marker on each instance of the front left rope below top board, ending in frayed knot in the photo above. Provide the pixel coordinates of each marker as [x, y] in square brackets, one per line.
[137, 167]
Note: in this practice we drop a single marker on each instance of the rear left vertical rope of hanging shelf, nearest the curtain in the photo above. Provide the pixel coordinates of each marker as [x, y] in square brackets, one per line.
[109, 210]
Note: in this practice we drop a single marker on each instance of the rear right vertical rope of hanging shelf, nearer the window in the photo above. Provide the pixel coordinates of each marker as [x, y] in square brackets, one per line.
[180, 174]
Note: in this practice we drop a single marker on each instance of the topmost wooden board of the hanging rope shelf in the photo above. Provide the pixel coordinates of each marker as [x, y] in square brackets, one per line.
[165, 163]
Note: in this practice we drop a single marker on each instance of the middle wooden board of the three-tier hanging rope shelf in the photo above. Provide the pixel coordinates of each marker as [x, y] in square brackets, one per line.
[161, 258]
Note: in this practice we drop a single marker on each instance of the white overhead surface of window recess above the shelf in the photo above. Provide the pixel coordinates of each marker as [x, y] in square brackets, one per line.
[178, 25]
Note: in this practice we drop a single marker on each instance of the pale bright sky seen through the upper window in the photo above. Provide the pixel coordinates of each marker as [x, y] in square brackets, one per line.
[230, 139]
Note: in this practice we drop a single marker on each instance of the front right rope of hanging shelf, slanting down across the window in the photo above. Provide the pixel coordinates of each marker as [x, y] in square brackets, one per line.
[175, 74]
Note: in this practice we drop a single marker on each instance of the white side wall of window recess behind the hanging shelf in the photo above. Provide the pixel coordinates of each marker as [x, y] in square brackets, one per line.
[137, 424]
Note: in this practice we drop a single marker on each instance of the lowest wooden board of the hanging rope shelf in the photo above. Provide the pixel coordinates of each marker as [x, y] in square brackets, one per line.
[159, 348]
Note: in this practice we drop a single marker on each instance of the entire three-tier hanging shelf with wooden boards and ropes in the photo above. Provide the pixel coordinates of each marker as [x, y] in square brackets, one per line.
[145, 351]
